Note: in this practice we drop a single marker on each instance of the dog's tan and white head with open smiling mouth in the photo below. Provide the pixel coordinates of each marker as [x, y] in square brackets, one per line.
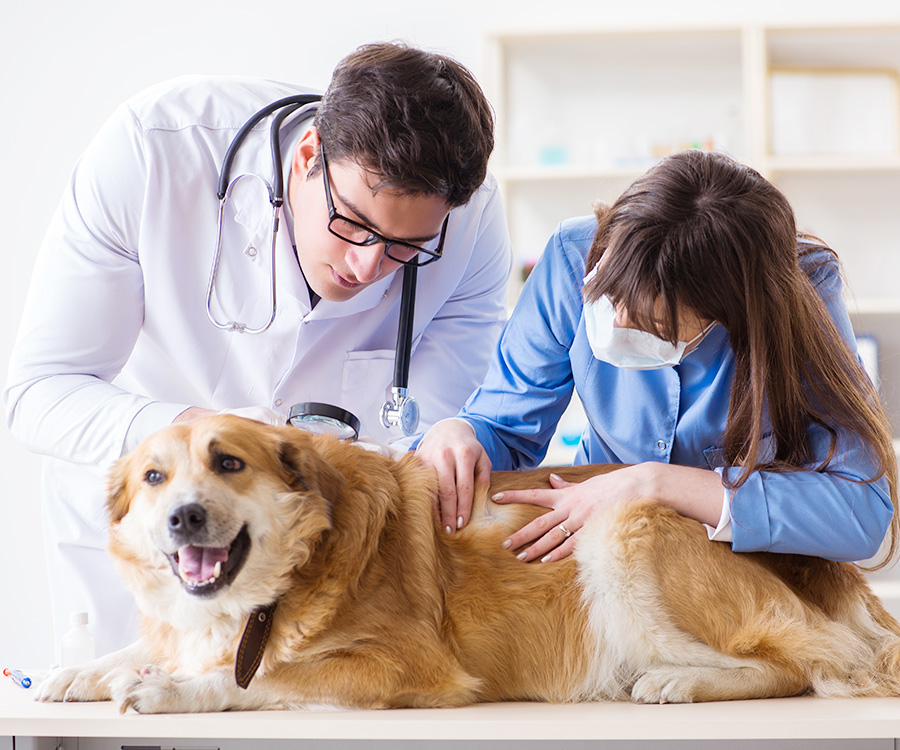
[217, 511]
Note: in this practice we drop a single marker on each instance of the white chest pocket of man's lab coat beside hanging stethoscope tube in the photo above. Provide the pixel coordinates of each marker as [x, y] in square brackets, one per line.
[365, 385]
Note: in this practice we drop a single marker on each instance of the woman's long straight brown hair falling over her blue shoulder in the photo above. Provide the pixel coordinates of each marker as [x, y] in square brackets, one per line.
[703, 233]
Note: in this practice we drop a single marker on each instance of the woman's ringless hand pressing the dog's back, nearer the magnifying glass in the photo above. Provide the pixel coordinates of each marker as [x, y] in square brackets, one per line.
[452, 450]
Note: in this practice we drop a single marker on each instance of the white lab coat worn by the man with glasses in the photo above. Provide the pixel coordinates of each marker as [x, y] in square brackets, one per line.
[115, 341]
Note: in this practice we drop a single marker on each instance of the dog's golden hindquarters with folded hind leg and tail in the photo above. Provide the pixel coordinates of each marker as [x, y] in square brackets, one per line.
[664, 599]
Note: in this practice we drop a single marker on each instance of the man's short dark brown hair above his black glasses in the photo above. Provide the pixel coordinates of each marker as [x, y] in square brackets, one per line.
[417, 120]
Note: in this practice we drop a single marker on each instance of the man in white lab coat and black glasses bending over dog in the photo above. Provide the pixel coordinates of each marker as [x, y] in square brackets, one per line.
[117, 338]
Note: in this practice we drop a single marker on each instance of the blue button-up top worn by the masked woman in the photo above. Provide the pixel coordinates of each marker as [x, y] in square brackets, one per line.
[672, 415]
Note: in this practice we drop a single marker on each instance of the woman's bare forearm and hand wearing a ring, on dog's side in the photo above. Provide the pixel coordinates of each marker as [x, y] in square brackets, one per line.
[695, 493]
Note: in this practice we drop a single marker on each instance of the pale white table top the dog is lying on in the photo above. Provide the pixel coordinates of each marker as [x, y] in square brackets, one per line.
[788, 718]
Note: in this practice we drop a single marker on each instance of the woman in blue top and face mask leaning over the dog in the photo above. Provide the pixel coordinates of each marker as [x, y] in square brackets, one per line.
[713, 354]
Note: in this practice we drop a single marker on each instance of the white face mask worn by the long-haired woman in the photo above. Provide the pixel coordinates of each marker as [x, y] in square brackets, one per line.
[629, 348]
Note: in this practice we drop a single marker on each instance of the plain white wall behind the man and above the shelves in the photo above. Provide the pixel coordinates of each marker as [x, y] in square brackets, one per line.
[64, 67]
